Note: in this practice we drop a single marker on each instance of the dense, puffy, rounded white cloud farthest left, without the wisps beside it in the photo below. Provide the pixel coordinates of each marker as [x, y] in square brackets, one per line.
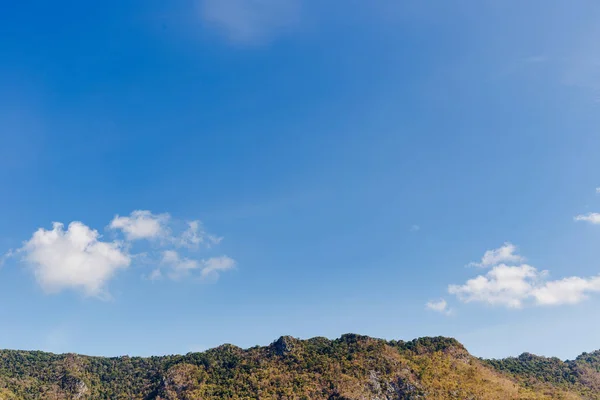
[75, 258]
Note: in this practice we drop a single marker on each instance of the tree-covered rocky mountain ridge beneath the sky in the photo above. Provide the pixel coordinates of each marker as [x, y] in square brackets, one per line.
[352, 367]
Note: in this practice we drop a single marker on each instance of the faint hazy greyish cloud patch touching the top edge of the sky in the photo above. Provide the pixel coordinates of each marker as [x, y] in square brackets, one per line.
[251, 21]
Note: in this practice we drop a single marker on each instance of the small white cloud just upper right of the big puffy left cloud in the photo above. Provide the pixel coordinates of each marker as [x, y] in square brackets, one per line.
[142, 224]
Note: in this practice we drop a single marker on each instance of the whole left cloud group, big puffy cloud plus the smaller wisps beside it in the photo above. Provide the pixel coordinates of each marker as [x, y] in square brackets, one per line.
[78, 258]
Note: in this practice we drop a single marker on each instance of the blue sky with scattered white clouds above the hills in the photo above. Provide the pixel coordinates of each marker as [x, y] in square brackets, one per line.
[237, 170]
